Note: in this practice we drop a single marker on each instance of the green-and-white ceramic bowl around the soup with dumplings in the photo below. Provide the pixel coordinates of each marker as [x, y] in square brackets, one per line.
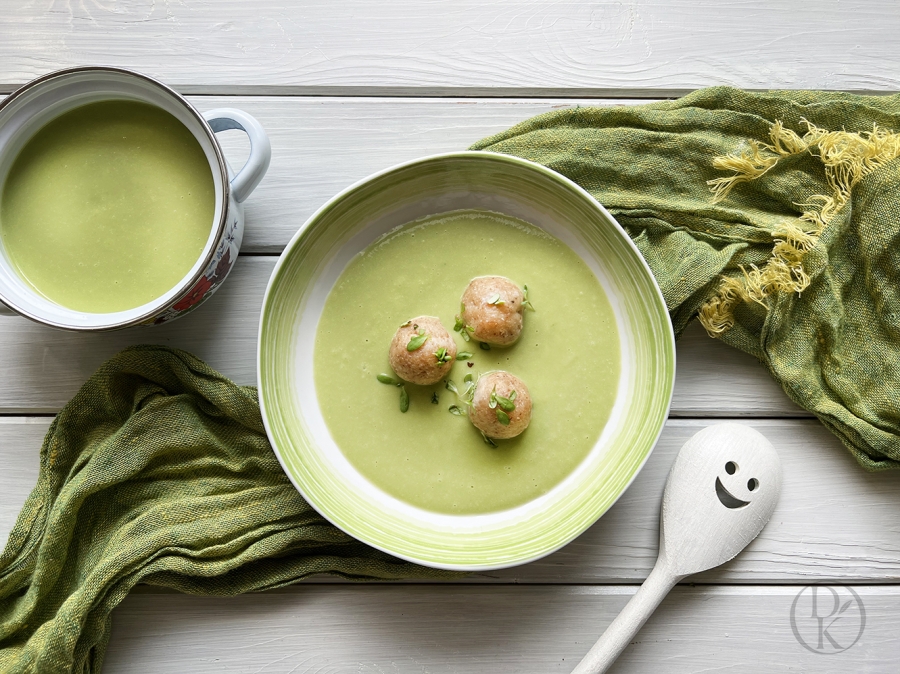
[352, 220]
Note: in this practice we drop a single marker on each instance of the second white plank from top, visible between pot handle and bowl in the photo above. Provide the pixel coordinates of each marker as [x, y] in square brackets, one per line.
[322, 145]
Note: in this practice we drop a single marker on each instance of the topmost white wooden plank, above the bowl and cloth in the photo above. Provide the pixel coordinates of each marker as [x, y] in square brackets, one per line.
[401, 46]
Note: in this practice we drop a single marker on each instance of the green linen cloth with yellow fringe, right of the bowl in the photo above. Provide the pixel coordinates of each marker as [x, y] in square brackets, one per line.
[774, 217]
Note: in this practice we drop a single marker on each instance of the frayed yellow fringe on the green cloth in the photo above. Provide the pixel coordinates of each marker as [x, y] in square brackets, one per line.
[847, 158]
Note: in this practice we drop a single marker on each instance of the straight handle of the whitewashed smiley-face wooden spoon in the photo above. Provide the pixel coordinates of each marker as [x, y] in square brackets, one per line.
[622, 630]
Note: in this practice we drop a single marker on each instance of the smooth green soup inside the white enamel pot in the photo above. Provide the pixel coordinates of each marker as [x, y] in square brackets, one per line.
[107, 207]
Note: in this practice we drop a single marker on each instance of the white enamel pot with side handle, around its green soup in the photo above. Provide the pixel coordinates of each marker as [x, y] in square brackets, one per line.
[30, 108]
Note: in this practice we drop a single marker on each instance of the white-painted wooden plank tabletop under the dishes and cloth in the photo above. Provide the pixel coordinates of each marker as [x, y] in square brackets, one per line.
[348, 87]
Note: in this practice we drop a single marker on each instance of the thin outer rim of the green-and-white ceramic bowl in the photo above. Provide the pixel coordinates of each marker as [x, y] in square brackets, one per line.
[669, 343]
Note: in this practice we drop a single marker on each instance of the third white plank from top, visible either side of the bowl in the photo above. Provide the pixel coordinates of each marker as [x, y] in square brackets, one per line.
[40, 368]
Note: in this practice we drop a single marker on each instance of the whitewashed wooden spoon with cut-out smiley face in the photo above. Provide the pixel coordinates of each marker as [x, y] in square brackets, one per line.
[719, 495]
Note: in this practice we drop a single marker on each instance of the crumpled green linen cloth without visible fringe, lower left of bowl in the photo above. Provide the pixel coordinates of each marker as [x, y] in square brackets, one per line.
[158, 471]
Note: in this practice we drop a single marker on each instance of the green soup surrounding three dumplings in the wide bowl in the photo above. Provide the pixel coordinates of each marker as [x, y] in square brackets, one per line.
[568, 355]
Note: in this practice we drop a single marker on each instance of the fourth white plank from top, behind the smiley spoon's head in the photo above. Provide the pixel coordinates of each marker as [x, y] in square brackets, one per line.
[834, 521]
